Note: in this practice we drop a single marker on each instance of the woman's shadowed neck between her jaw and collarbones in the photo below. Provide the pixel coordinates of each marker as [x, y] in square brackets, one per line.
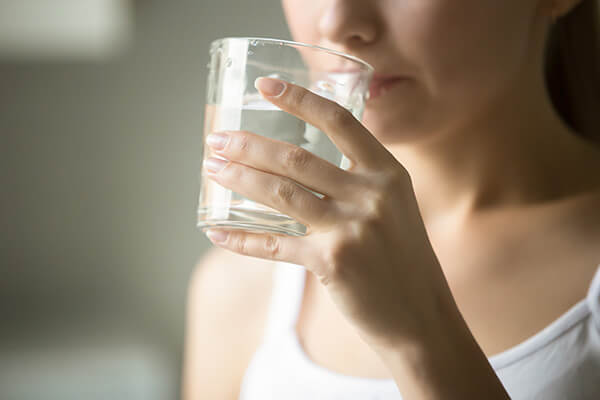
[517, 152]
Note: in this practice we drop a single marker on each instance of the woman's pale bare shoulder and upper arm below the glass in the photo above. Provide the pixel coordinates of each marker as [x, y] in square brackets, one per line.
[228, 300]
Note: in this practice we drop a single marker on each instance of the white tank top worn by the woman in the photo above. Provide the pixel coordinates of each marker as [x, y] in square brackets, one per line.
[562, 361]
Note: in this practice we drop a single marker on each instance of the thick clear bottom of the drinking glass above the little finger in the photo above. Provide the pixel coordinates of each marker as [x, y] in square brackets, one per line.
[251, 220]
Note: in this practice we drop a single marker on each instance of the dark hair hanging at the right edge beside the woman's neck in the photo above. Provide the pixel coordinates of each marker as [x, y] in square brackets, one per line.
[572, 68]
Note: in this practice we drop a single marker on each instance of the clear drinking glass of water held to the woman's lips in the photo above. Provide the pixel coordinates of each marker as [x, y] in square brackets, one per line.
[233, 103]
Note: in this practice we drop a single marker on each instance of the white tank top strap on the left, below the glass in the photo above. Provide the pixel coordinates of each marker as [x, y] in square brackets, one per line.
[286, 299]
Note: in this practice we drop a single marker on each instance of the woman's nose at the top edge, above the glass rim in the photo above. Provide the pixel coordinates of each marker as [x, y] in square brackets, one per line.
[348, 21]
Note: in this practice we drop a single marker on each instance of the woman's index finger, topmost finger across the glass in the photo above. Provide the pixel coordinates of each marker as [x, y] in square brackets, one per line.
[345, 131]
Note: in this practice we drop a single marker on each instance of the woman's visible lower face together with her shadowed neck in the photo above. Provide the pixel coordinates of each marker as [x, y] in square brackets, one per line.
[474, 126]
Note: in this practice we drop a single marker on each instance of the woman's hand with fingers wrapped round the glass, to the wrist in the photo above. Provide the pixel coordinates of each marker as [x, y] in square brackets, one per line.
[365, 239]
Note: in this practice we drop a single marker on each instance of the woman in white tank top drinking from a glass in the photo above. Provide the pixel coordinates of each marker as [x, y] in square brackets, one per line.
[456, 258]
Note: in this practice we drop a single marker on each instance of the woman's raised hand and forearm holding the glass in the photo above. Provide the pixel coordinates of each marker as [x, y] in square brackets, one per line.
[366, 242]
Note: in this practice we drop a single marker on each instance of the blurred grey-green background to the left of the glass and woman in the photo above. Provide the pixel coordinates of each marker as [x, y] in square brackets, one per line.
[101, 116]
